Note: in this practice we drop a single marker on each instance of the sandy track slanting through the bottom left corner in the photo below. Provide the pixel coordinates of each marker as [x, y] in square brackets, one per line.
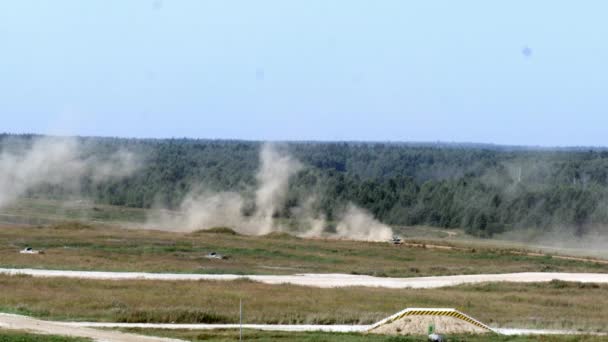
[18, 322]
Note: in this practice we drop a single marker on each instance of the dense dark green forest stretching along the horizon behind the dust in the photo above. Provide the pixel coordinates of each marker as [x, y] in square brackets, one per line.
[484, 189]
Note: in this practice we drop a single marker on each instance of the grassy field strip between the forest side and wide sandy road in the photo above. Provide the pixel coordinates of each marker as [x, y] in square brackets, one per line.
[99, 247]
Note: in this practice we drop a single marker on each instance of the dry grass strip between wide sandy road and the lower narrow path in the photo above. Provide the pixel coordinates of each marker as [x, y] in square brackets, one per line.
[555, 305]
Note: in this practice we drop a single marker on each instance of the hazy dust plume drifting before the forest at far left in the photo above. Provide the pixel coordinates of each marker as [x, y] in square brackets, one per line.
[58, 162]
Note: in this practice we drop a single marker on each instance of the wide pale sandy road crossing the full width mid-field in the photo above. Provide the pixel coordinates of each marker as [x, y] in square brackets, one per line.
[328, 280]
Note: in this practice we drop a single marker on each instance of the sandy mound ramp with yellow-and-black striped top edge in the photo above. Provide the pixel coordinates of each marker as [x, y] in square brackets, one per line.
[416, 321]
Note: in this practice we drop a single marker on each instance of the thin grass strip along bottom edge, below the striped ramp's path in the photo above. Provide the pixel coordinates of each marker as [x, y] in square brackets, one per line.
[250, 335]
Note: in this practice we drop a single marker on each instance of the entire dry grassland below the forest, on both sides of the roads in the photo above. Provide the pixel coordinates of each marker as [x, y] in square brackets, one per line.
[102, 244]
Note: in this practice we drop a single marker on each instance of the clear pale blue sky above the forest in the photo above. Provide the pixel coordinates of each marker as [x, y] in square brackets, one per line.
[509, 72]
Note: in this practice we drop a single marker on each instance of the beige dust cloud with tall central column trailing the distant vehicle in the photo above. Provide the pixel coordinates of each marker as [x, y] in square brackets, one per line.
[202, 209]
